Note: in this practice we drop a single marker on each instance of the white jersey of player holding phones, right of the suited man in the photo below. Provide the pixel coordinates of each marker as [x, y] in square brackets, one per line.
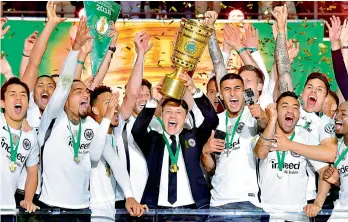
[235, 178]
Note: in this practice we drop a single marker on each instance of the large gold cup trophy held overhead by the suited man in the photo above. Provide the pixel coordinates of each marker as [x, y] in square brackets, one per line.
[189, 46]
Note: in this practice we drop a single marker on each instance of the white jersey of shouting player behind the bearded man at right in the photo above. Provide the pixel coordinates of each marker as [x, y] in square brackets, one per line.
[321, 128]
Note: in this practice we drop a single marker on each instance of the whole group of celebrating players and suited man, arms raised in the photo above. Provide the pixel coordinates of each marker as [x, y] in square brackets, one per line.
[250, 143]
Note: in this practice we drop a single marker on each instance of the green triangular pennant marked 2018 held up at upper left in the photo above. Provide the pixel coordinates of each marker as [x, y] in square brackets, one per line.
[99, 15]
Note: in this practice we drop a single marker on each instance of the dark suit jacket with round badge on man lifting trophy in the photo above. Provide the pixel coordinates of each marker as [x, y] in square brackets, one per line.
[152, 144]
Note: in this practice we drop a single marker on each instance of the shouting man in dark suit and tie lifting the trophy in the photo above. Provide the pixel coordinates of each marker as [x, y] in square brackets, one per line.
[173, 158]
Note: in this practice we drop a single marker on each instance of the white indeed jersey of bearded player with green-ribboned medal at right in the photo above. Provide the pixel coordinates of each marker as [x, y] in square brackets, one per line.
[288, 193]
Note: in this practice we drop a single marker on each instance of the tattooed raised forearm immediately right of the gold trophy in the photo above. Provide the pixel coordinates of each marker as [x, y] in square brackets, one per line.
[217, 58]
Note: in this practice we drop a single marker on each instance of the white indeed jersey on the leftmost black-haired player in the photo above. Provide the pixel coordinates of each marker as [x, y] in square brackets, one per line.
[27, 156]
